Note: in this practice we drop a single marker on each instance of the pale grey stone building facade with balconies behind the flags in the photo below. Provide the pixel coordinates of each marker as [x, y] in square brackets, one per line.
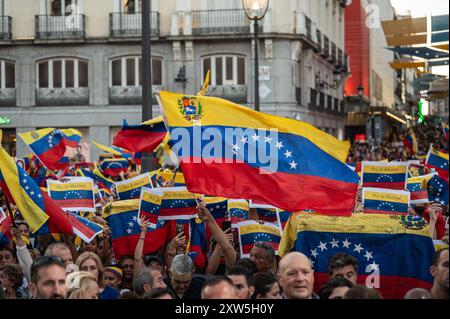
[76, 63]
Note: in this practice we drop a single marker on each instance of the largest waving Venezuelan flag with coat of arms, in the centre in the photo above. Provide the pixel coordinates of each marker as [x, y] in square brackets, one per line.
[307, 171]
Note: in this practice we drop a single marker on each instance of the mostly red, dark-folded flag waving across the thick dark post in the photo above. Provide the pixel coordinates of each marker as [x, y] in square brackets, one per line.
[141, 138]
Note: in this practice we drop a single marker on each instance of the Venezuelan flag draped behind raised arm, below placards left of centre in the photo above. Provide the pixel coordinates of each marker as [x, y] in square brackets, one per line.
[122, 216]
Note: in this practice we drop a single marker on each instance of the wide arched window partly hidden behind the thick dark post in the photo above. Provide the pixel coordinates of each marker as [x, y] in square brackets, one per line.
[127, 71]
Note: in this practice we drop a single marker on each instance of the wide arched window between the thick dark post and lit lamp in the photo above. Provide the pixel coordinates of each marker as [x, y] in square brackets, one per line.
[225, 69]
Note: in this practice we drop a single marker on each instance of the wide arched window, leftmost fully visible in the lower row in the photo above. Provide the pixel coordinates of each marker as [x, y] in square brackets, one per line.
[62, 73]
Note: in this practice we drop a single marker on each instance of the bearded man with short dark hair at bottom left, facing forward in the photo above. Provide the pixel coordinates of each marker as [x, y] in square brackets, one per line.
[48, 278]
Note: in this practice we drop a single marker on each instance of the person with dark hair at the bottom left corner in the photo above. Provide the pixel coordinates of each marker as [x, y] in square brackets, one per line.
[11, 280]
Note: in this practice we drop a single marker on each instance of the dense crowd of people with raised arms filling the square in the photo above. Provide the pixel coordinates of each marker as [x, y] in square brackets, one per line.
[62, 266]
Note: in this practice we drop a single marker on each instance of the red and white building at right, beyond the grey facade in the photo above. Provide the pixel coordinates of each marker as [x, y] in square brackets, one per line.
[379, 99]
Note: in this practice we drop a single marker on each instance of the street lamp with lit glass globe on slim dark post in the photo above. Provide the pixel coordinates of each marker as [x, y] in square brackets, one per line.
[256, 10]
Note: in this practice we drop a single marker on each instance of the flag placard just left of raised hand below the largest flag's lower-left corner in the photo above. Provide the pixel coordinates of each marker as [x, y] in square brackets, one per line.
[177, 204]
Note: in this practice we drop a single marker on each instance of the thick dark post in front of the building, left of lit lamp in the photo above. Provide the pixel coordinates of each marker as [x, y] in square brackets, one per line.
[147, 104]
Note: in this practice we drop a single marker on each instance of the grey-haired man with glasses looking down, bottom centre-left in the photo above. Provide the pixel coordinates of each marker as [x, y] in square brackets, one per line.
[182, 281]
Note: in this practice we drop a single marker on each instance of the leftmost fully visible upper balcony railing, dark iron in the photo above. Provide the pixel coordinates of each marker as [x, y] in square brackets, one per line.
[60, 27]
